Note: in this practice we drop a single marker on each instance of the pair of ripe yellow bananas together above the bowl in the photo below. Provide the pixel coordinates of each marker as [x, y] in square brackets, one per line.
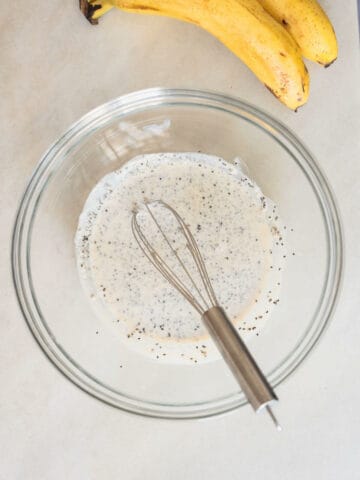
[269, 36]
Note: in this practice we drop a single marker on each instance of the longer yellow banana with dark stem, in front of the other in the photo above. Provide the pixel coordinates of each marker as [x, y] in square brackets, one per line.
[244, 27]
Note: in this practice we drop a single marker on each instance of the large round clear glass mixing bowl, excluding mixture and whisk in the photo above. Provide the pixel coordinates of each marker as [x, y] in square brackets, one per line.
[163, 120]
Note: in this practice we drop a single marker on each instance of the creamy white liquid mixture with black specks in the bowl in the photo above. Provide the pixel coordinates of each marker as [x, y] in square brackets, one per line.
[238, 231]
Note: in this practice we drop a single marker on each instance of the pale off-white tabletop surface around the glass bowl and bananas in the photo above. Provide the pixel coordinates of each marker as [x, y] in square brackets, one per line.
[54, 68]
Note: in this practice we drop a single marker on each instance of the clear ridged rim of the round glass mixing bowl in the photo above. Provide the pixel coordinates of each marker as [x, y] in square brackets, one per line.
[156, 98]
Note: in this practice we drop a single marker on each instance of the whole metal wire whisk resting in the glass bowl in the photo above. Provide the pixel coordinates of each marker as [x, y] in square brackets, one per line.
[234, 351]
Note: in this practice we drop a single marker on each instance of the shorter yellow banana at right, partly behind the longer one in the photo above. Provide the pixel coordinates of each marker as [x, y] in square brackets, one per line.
[309, 25]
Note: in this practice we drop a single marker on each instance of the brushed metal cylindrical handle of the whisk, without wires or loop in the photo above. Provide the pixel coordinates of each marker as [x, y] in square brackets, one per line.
[234, 351]
